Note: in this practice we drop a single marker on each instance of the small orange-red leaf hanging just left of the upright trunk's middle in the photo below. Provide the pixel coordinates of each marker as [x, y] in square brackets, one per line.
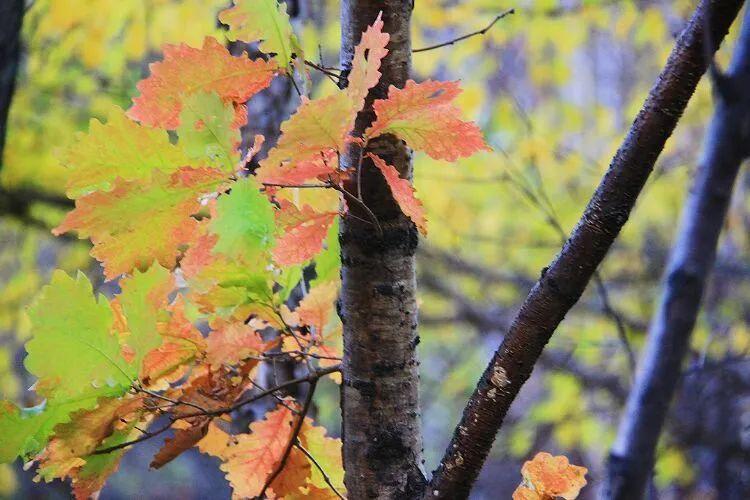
[302, 233]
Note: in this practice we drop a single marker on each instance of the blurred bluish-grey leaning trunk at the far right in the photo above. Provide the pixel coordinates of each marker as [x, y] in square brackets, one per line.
[693, 256]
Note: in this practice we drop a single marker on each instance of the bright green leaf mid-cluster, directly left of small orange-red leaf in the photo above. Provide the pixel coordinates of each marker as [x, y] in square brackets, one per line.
[244, 221]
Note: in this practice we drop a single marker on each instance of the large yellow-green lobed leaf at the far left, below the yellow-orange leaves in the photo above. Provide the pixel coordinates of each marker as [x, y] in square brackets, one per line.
[74, 348]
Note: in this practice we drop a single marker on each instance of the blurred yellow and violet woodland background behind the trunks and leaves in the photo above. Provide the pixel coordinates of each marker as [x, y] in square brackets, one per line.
[554, 87]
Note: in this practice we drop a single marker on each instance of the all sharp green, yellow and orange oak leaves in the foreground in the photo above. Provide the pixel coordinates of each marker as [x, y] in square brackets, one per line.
[207, 254]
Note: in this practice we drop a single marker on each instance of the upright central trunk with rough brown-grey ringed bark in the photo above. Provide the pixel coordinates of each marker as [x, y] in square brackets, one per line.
[380, 398]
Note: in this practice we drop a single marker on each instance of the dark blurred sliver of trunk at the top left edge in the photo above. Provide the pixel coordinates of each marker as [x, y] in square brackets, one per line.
[11, 14]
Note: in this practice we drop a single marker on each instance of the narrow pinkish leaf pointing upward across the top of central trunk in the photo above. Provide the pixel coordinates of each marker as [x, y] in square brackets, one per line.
[368, 53]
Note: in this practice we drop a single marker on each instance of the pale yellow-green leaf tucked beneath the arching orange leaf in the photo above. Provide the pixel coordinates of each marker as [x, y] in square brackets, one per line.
[207, 131]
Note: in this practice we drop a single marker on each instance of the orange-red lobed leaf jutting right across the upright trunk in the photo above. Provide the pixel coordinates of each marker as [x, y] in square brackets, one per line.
[422, 115]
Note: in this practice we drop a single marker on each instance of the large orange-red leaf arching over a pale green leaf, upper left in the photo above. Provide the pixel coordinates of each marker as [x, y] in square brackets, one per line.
[186, 70]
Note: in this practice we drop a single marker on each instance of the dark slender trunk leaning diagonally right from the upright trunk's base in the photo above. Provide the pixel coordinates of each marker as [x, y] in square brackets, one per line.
[562, 283]
